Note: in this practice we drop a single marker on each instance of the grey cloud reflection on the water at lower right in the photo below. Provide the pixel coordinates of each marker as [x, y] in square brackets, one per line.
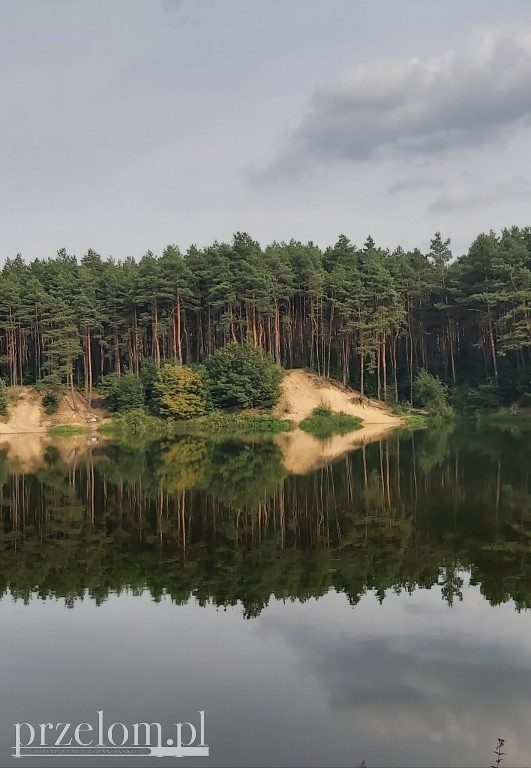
[425, 685]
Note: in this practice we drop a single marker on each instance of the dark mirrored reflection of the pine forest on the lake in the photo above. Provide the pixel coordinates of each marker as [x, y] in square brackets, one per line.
[222, 522]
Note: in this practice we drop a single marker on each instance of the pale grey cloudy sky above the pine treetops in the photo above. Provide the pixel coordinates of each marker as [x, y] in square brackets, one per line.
[128, 125]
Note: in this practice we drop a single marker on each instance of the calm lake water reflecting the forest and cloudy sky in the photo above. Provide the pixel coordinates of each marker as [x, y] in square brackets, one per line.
[376, 609]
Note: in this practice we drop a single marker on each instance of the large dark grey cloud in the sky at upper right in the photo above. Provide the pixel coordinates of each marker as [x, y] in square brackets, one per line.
[417, 107]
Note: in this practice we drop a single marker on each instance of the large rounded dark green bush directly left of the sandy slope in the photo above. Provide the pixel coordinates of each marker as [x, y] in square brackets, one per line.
[242, 376]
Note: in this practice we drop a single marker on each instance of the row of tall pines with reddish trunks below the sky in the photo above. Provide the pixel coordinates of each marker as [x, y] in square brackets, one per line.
[368, 316]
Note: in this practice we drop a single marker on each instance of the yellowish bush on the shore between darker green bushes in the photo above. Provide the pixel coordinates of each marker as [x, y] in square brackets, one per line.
[179, 392]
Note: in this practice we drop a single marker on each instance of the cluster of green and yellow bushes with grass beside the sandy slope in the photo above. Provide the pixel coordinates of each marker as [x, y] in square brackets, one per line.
[235, 377]
